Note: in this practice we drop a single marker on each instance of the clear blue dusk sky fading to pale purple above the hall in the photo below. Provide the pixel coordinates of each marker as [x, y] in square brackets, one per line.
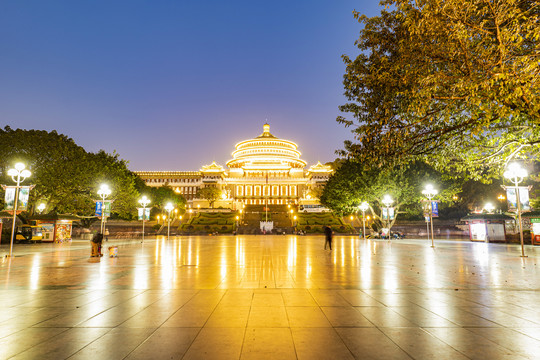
[174, 85]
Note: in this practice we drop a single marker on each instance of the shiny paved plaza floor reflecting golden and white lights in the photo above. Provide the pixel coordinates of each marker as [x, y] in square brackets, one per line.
[271, 297]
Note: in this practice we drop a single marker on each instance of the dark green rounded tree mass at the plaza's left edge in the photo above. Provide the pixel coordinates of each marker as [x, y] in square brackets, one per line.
[66, 177]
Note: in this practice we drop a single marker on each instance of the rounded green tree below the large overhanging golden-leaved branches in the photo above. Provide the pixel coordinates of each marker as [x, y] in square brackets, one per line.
[353, 183]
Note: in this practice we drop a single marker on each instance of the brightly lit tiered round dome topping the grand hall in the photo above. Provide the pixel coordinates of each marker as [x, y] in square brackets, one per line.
[266, 152]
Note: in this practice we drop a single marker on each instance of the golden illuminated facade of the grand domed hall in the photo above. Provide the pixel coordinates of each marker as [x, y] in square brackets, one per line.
[264, 169]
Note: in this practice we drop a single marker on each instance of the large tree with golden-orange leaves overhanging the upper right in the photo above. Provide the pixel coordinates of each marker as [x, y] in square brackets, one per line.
[452, 82]
